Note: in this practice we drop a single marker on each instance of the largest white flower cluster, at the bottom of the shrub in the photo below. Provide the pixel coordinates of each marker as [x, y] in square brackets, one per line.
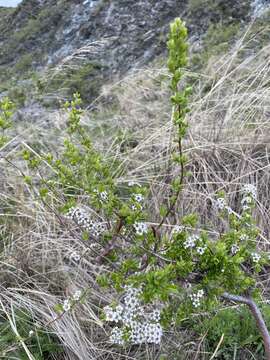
[140, 327]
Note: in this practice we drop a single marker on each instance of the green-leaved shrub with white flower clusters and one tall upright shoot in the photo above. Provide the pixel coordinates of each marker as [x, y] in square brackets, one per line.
[156, 261]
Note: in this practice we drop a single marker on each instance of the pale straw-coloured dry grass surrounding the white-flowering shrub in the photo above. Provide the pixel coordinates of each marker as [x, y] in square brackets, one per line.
[227, 144]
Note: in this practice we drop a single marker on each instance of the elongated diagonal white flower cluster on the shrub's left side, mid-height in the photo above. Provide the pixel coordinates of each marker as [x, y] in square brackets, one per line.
[82, 219]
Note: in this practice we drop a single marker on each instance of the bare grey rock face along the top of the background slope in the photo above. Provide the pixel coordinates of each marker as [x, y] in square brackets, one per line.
[132, 33]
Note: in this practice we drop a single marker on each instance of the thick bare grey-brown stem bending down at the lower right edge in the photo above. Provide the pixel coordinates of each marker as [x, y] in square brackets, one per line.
[256, 313]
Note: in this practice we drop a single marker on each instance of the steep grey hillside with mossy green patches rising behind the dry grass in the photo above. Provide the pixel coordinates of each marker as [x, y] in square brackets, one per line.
[98, 41]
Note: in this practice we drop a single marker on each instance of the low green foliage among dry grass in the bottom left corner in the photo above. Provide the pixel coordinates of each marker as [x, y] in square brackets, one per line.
[40, 343]
